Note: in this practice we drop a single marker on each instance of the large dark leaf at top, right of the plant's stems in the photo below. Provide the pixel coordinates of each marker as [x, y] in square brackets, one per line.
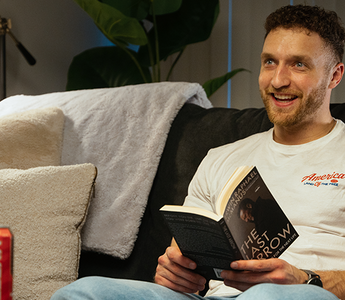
[192, 23]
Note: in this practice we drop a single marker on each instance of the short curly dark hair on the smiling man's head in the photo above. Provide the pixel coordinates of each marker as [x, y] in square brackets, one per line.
[314, 19]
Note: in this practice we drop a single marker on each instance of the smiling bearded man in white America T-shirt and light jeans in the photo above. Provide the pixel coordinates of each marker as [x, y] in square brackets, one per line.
[300, 65]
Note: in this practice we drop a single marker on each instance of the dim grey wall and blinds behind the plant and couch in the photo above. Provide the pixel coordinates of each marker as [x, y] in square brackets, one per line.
[55, 31]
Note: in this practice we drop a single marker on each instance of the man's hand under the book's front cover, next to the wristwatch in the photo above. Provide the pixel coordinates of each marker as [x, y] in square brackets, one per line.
[251, 272]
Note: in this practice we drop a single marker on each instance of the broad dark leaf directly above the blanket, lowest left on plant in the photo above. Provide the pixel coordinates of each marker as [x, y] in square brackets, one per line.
[104, 67]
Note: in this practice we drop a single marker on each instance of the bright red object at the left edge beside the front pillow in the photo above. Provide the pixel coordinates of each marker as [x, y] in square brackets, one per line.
[6, 244]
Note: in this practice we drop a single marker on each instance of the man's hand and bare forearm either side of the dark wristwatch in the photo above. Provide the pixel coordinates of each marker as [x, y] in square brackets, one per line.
[279, 271]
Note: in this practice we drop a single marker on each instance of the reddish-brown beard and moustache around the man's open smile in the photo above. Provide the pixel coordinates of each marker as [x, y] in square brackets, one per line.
[290, 117]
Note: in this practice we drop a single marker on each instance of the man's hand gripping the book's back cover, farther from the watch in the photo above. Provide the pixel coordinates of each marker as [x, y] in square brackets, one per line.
[175, 271]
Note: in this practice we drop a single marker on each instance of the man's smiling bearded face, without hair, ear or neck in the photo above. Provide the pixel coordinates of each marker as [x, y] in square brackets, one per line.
[294, 79]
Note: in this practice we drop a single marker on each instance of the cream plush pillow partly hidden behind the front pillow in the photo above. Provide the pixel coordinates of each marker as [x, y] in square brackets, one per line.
[31, 139]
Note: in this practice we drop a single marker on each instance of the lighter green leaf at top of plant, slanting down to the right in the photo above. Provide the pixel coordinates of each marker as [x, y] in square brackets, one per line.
[117, 27]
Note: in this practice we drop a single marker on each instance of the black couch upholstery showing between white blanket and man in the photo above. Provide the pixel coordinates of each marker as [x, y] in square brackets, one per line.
[194, 131]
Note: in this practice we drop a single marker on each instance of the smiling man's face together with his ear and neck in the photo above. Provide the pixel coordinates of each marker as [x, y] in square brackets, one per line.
[298, 72]
